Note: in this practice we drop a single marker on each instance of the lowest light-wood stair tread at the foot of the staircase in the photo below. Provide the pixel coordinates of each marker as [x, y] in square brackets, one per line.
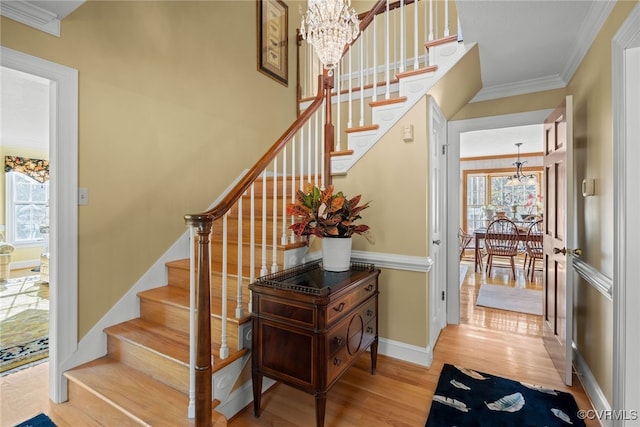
[155, 403]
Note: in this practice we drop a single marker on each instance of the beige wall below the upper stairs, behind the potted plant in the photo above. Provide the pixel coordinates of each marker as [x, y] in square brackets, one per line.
[393, 175]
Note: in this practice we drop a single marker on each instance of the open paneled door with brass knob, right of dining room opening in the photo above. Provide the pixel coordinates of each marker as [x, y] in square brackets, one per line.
[559, 237]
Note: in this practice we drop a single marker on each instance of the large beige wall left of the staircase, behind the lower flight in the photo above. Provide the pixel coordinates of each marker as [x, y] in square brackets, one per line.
[172, 109]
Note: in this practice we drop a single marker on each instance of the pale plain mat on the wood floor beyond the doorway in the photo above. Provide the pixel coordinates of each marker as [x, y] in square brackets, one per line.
[508, 298]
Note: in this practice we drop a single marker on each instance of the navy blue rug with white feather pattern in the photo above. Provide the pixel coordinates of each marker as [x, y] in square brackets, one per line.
[469, 398]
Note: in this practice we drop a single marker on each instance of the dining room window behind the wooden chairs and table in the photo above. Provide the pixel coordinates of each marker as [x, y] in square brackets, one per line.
[482, 189]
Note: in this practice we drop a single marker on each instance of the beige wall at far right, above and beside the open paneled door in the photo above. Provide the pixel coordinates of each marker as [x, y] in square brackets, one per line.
[593, 133]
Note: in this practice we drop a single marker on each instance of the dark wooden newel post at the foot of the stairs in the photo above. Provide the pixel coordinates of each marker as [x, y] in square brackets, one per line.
[202, 225]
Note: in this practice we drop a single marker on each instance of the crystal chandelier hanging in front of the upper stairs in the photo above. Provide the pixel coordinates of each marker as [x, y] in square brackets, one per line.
[329, 25]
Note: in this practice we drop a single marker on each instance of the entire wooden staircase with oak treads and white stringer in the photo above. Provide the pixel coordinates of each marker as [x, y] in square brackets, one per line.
[145, 379]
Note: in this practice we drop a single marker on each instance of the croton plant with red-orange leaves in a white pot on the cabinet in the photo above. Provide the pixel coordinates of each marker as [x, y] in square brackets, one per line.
[332, 217]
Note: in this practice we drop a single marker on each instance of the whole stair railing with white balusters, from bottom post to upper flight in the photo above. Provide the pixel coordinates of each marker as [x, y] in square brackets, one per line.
[254, 214]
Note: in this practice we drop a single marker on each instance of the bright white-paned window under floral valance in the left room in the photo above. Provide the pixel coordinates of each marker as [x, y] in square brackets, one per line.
[27, 209]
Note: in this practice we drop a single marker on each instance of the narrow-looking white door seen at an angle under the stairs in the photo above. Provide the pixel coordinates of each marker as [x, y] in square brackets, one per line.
[437, 222]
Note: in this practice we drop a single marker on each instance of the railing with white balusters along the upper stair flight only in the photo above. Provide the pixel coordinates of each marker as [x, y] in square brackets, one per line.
[393, 44]
